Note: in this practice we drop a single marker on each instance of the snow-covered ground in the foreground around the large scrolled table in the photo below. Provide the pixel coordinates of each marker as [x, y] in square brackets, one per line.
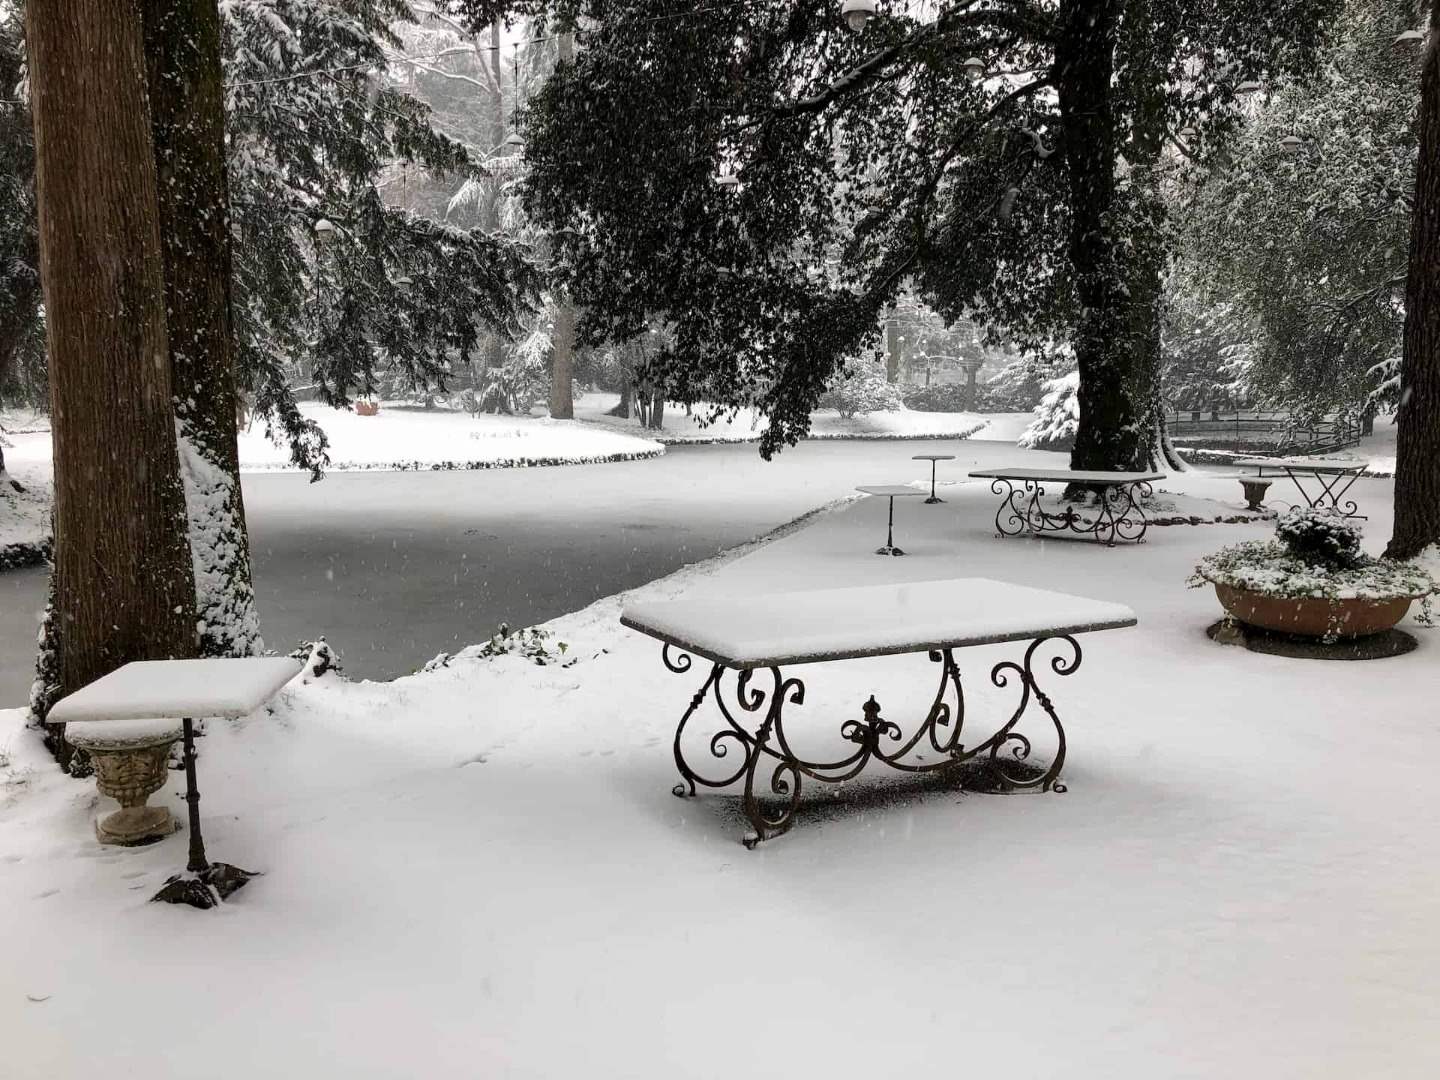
[482, 872]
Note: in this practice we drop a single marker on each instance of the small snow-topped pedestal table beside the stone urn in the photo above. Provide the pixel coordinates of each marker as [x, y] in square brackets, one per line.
[185, 689]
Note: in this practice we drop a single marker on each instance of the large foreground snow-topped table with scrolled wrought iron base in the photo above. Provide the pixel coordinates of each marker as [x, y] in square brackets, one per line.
[762, 637]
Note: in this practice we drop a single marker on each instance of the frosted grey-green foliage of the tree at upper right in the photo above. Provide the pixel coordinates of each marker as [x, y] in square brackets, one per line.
[1307, 250]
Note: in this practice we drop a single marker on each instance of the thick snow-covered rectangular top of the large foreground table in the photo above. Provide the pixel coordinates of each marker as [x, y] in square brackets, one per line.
[868, 621]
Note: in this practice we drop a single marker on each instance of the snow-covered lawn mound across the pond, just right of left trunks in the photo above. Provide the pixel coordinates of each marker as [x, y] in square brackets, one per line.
[413, 438]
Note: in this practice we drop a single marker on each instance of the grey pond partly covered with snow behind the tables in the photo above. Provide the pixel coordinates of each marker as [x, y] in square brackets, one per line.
[395, 568]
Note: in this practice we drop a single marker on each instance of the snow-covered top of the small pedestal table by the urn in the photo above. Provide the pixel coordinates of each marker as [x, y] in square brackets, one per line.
[156, 689]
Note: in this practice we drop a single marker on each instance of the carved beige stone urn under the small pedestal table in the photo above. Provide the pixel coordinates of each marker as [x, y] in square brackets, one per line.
[132, 764]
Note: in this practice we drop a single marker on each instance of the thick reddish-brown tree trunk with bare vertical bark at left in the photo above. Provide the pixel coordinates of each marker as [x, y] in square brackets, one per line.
[123, 582]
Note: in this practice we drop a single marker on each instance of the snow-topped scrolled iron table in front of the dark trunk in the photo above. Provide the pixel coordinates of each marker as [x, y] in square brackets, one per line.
[1118, 512]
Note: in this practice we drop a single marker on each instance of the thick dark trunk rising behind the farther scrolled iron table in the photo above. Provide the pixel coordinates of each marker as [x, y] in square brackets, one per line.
[1112, 431]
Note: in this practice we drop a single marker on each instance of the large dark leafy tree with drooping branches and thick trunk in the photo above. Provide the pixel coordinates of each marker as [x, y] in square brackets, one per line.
[866, 162]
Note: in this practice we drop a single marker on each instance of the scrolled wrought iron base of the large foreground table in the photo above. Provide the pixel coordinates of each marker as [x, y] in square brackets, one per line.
[765, 762]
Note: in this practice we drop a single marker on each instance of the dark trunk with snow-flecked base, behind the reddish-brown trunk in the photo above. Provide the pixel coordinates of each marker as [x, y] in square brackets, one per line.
[188, 122]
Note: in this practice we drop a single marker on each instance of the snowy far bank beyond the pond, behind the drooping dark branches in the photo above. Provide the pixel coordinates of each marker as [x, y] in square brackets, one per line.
[747, 426]
